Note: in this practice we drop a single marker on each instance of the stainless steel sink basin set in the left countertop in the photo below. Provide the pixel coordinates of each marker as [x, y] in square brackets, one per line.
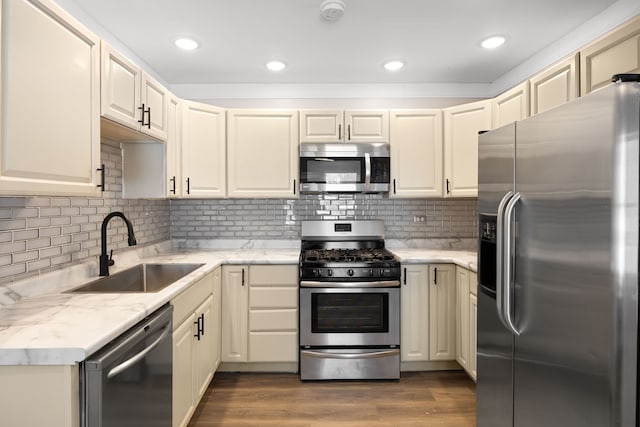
[140, 278]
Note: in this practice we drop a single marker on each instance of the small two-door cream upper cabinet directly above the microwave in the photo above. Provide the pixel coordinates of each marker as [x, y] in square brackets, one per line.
[344, 126]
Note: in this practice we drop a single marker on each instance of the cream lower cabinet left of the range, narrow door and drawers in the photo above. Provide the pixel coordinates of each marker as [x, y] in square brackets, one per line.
[260, 313]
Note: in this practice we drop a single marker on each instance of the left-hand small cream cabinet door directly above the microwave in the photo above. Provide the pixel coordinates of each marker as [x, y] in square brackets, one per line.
[321, 125]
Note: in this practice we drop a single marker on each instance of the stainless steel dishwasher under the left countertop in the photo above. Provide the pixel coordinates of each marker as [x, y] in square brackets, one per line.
[128, 382]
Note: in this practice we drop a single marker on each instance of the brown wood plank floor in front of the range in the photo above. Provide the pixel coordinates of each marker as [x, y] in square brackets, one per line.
[445, 399]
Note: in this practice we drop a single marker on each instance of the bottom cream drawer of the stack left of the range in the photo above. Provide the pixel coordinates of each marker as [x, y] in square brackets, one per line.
[273, 347]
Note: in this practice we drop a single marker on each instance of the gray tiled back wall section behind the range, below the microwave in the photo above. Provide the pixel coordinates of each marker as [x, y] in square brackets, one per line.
[280, 218]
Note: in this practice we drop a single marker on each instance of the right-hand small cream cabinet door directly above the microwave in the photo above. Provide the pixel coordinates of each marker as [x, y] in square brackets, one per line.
[367, 126]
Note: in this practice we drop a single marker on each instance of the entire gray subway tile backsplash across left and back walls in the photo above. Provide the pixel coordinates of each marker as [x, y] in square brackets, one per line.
[38, 234]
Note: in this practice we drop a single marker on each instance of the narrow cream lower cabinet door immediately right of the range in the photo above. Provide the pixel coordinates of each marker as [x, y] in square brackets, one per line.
[414, 309]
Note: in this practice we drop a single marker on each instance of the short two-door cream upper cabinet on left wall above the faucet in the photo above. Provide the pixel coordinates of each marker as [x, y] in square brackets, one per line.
[131, 97]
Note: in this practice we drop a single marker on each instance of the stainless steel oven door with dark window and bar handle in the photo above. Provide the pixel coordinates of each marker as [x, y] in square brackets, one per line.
[351, 317]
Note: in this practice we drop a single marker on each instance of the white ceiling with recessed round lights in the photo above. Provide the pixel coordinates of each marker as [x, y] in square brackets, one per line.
[438, 40]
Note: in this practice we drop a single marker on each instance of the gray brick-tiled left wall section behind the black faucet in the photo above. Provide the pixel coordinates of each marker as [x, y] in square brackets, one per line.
[38, 234]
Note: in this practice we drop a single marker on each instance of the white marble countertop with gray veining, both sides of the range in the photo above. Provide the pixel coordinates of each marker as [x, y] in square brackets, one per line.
[47, 326]
